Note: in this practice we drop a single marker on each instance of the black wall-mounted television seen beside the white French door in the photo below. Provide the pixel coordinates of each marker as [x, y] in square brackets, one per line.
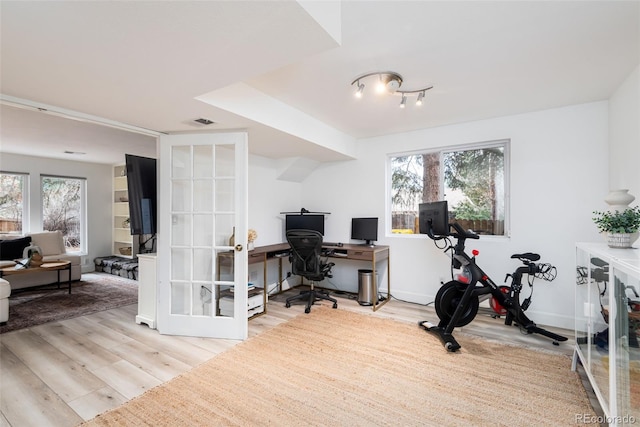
[141, 183]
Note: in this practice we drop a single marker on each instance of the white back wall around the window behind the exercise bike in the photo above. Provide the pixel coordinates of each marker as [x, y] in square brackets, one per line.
[559, 175]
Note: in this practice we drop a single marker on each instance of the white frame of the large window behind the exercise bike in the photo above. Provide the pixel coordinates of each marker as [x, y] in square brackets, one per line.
[505, 143]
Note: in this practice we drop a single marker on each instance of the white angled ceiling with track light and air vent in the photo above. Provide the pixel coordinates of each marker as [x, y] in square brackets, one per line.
[283, 69]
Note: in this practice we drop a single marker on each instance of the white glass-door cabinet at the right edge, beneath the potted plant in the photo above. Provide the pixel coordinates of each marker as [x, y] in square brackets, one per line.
[607, 312]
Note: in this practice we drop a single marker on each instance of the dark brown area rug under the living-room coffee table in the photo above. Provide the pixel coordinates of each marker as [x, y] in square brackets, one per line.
[92, 293]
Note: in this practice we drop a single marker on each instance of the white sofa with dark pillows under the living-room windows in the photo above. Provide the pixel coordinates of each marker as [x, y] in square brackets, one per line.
[51, 244]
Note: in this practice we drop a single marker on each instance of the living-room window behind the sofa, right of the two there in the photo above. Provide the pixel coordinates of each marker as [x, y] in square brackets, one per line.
[63, 208]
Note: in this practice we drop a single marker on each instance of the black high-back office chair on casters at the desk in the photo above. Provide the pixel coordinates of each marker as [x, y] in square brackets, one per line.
[306, 261]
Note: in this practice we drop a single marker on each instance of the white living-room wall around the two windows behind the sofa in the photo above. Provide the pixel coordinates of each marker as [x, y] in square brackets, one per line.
[99, 197]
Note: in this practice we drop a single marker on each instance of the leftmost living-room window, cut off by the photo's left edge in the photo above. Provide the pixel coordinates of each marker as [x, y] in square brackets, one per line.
[13, 202]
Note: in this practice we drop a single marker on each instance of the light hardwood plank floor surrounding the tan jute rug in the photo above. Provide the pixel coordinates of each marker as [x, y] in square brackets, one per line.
[62, 373]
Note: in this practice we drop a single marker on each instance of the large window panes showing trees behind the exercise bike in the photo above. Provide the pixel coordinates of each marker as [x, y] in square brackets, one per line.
[472, 179]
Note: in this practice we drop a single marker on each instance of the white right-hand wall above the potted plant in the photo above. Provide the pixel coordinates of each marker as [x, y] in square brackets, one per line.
[624, 136]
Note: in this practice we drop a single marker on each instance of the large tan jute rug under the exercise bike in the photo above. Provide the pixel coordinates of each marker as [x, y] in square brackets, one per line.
[338, 368]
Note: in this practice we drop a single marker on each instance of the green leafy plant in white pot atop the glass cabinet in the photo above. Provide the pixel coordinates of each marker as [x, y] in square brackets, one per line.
[619, 226]
